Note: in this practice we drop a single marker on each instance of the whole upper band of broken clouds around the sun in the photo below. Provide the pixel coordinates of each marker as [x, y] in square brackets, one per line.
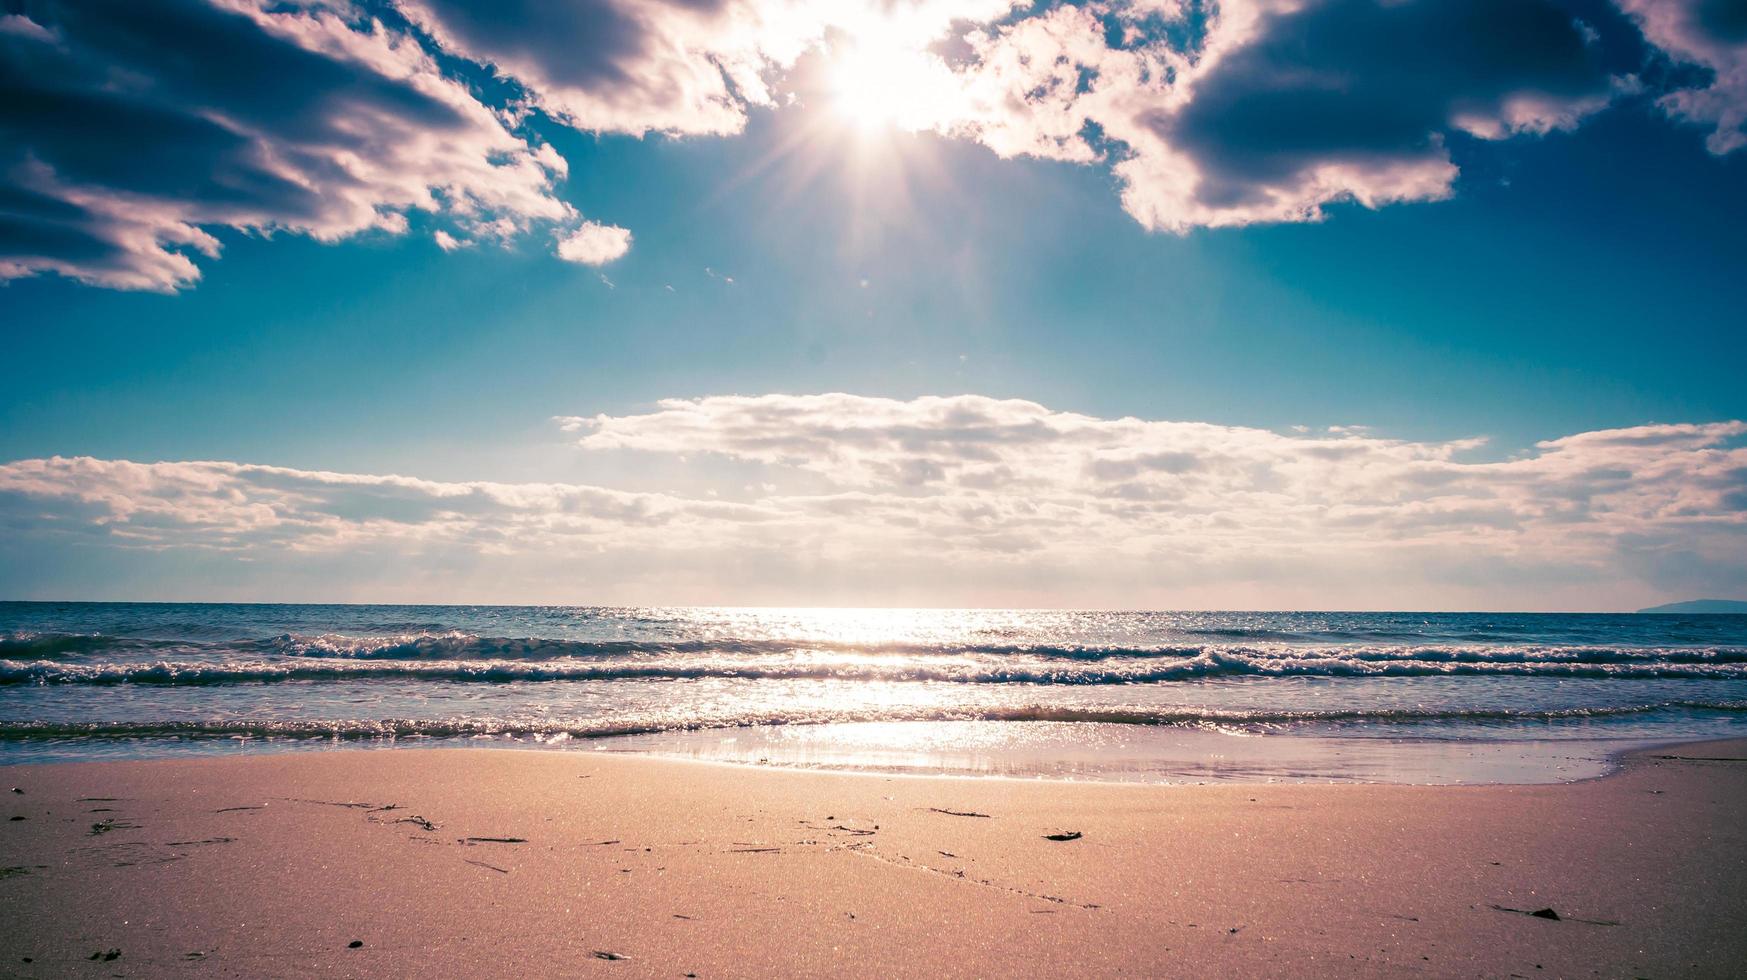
[134, 134]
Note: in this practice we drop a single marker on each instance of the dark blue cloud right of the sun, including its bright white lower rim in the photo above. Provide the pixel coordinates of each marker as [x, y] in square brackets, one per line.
[1355, 100]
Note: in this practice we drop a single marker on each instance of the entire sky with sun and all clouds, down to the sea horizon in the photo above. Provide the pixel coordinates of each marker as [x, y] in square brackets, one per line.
[1355, 305]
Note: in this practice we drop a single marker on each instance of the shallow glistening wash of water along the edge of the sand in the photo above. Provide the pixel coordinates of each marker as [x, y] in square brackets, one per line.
[1067, 754]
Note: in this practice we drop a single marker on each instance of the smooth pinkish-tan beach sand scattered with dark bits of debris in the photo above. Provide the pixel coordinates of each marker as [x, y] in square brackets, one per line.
[558, 864]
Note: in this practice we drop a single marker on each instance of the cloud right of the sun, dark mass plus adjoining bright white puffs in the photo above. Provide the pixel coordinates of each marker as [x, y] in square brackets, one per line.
[1276, 109]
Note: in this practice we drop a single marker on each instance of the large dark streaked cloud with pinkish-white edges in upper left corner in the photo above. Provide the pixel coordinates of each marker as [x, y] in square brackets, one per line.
[130, 132]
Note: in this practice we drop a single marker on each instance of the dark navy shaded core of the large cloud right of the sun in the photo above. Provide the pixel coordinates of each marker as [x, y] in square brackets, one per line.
[1372, 83]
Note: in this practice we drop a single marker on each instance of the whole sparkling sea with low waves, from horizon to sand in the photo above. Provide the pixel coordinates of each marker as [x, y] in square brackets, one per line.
[1129, 696]
